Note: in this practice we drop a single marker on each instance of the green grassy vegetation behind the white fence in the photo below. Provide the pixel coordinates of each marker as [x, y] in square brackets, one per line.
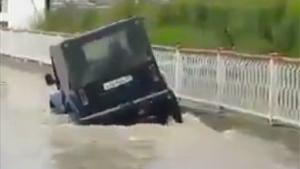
[254, 26]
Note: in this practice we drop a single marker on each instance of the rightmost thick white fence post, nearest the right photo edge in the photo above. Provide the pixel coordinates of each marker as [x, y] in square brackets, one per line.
[271, 90]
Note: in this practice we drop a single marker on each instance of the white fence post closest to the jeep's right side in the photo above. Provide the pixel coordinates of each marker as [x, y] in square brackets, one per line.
[178, 70]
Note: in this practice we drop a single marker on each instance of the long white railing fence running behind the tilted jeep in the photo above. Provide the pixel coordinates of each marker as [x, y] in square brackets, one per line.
[261, 85]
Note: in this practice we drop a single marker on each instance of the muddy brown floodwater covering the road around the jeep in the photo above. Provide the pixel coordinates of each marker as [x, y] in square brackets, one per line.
[33, 138]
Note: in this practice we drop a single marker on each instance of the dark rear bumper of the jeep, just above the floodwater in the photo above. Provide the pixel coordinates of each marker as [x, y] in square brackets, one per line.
[134, 110]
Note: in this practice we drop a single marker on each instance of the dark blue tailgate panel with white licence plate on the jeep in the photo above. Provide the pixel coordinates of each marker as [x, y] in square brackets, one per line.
[137, 83]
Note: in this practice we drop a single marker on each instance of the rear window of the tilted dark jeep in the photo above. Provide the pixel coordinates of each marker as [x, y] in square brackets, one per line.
[110, 55]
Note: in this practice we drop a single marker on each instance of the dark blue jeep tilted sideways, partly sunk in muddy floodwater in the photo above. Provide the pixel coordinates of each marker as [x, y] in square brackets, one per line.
[110, 76]
